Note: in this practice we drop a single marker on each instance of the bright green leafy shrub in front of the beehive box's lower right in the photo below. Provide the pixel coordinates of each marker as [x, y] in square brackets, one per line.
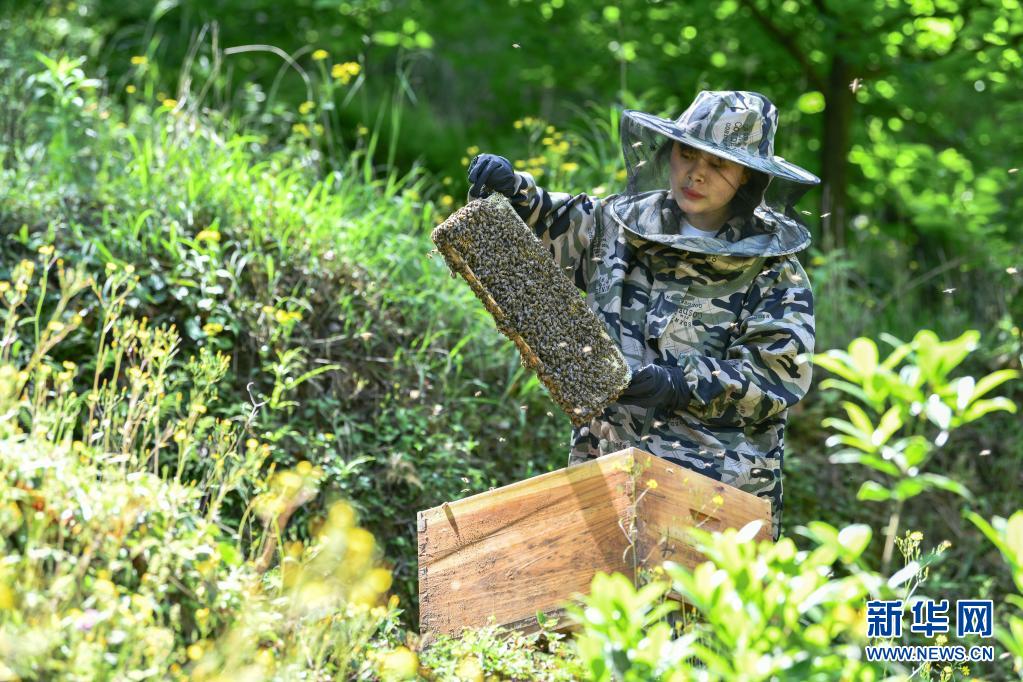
[760, 611]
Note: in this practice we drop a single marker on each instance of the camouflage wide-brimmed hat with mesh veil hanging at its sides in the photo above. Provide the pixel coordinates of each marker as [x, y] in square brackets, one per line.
[736, 126]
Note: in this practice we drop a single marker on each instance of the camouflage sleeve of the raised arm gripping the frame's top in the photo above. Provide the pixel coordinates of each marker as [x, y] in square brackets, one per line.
[565, 223]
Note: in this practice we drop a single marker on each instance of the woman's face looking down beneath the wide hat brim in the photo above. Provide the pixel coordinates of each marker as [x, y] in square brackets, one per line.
[704, 185]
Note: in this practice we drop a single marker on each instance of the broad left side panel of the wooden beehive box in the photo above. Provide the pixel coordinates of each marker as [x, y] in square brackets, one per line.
[521, 550]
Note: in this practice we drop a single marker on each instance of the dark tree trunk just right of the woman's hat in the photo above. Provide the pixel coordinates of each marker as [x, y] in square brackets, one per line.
[835, 152]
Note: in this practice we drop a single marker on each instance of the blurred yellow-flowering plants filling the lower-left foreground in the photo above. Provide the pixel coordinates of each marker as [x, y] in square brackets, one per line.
[115, 570]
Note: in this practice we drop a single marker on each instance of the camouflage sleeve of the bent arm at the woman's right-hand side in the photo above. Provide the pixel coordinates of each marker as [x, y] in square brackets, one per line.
[764, 372]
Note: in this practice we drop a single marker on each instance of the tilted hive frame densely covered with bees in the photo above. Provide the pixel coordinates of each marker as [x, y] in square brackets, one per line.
[536, 305]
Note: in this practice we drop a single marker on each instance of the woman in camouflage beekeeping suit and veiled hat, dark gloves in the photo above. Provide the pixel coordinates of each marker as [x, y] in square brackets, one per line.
[693, 270]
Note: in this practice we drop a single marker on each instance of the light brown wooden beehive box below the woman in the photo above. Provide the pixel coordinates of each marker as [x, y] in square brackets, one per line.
[529, 547]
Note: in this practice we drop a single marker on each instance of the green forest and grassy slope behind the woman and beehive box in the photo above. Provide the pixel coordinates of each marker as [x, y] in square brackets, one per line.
[265, 177]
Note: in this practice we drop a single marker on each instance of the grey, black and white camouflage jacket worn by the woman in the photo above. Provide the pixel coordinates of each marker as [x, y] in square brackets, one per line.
[735, 311]
